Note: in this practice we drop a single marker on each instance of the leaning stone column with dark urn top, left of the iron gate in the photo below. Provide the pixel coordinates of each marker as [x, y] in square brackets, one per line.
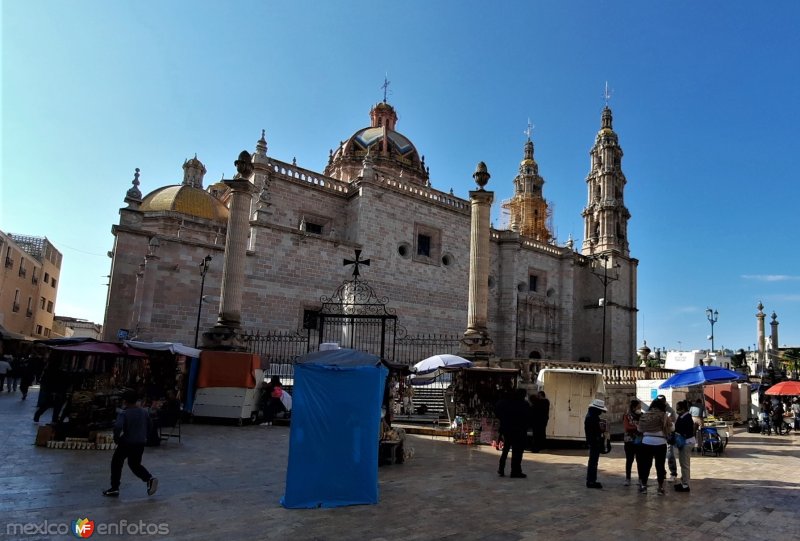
[223, 335]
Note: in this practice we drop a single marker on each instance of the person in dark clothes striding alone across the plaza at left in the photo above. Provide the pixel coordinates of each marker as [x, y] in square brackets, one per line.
[130, 434]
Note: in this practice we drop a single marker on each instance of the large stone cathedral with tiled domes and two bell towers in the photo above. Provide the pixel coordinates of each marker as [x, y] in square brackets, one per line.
[545, 300]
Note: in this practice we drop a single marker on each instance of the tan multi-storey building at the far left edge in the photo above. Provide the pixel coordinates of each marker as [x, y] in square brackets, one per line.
[28, 284]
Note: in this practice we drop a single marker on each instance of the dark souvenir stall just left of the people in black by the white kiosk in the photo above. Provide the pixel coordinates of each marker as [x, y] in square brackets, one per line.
[475, 391]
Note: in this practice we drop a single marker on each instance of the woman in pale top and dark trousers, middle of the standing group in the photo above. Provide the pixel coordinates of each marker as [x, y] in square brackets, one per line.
[655, 425]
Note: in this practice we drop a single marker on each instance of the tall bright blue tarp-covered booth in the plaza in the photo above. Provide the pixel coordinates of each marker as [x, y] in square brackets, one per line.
[333, 443]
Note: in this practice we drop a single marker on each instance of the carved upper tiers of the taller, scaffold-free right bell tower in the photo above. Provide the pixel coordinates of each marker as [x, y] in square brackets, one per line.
[605, 216]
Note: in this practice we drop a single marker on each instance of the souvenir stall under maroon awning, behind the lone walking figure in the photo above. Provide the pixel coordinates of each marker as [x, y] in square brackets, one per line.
[88, 379]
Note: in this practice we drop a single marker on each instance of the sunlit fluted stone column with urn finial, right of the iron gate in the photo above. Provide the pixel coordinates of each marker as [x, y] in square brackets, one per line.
[476, 341]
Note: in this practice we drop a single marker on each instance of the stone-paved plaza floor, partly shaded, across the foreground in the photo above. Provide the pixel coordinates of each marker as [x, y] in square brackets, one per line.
[225, 482]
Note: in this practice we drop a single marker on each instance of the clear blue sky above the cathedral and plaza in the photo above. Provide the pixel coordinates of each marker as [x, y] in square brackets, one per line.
[706, 102]
